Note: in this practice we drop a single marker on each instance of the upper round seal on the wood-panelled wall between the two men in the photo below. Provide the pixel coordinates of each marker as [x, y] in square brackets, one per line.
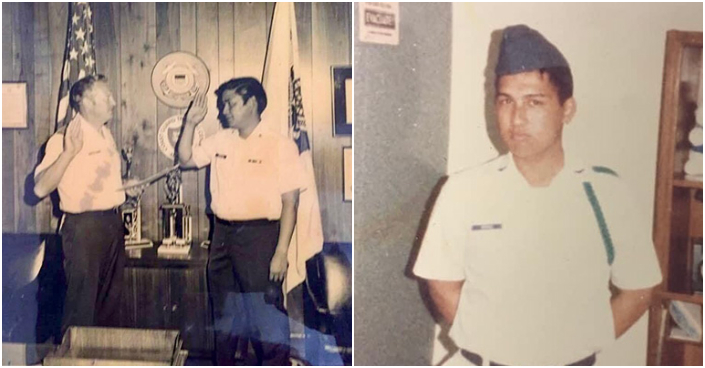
[178, 76]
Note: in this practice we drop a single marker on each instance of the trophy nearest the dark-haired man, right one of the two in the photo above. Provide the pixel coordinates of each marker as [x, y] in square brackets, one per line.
[176, 219]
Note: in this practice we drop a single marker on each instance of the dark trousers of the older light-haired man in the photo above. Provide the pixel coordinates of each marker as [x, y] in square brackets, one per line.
[94, 259]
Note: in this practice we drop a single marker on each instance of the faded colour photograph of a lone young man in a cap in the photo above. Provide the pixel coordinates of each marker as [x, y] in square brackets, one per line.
[528, 184]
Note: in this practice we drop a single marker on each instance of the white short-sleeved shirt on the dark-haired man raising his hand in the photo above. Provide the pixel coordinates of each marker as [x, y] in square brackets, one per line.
[248, 176]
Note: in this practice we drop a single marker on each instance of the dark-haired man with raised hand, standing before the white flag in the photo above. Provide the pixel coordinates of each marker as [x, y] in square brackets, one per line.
[255, 180]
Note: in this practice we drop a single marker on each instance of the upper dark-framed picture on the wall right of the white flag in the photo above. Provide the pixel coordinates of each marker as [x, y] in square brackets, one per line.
[342, 100]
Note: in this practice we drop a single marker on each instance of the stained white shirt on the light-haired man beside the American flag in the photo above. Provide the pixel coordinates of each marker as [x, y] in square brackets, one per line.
[92, 180]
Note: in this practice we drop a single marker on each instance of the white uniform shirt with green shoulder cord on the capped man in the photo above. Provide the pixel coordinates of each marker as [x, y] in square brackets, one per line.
[535, 262]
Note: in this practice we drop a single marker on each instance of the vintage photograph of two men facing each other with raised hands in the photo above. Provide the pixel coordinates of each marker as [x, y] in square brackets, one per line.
[177, 183]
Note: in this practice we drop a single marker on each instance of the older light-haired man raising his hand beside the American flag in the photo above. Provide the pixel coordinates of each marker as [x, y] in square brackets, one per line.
[82, 161]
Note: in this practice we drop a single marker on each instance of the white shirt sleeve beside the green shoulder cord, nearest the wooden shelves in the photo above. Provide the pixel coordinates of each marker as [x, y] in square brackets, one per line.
[635, 264]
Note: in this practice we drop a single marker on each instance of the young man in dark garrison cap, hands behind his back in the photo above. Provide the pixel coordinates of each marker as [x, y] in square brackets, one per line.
[520, 253]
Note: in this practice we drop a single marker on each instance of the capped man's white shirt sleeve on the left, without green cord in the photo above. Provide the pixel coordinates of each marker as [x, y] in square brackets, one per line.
[439, 258]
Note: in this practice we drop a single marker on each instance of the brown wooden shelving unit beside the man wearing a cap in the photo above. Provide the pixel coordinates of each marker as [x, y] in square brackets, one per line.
[678, 220]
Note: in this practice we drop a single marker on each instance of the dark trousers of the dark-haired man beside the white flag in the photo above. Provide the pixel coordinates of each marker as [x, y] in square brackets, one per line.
[247, 306]
